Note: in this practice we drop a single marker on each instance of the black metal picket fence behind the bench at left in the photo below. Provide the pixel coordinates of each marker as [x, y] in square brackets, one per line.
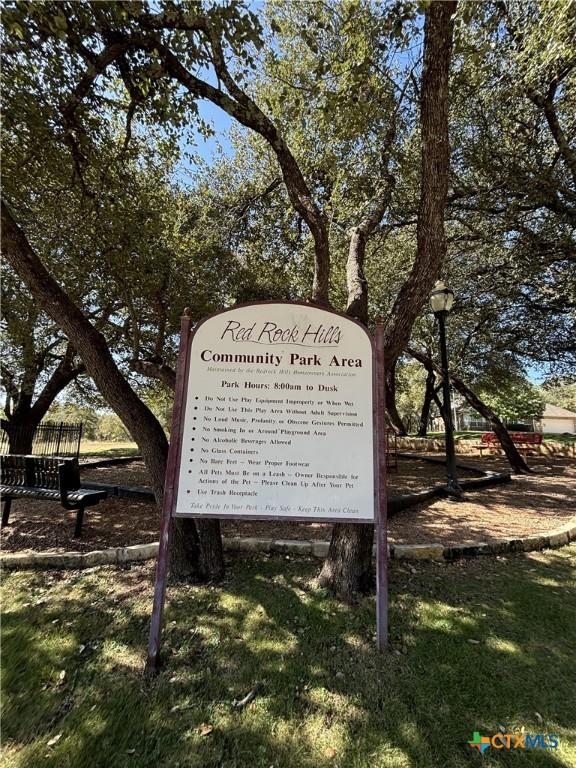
[48, 439]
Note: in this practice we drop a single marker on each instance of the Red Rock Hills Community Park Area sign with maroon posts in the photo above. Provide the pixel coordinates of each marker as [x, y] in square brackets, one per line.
[278, 414]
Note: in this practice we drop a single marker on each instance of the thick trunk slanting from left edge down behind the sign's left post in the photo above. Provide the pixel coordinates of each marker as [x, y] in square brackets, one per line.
[100, 365]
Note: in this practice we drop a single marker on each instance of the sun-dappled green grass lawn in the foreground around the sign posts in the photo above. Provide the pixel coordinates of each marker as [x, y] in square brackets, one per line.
[476, 646]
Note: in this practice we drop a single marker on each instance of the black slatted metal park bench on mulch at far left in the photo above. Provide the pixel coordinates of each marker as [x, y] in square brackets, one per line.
[51, 478]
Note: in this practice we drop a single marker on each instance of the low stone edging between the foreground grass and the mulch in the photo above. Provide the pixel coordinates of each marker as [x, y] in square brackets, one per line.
[428, 551]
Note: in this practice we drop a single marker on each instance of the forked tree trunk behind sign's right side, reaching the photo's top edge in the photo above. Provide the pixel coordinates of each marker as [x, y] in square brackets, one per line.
[348, 566]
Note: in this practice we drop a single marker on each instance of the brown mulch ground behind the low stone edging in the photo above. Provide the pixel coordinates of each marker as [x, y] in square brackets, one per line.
[528, 505]
